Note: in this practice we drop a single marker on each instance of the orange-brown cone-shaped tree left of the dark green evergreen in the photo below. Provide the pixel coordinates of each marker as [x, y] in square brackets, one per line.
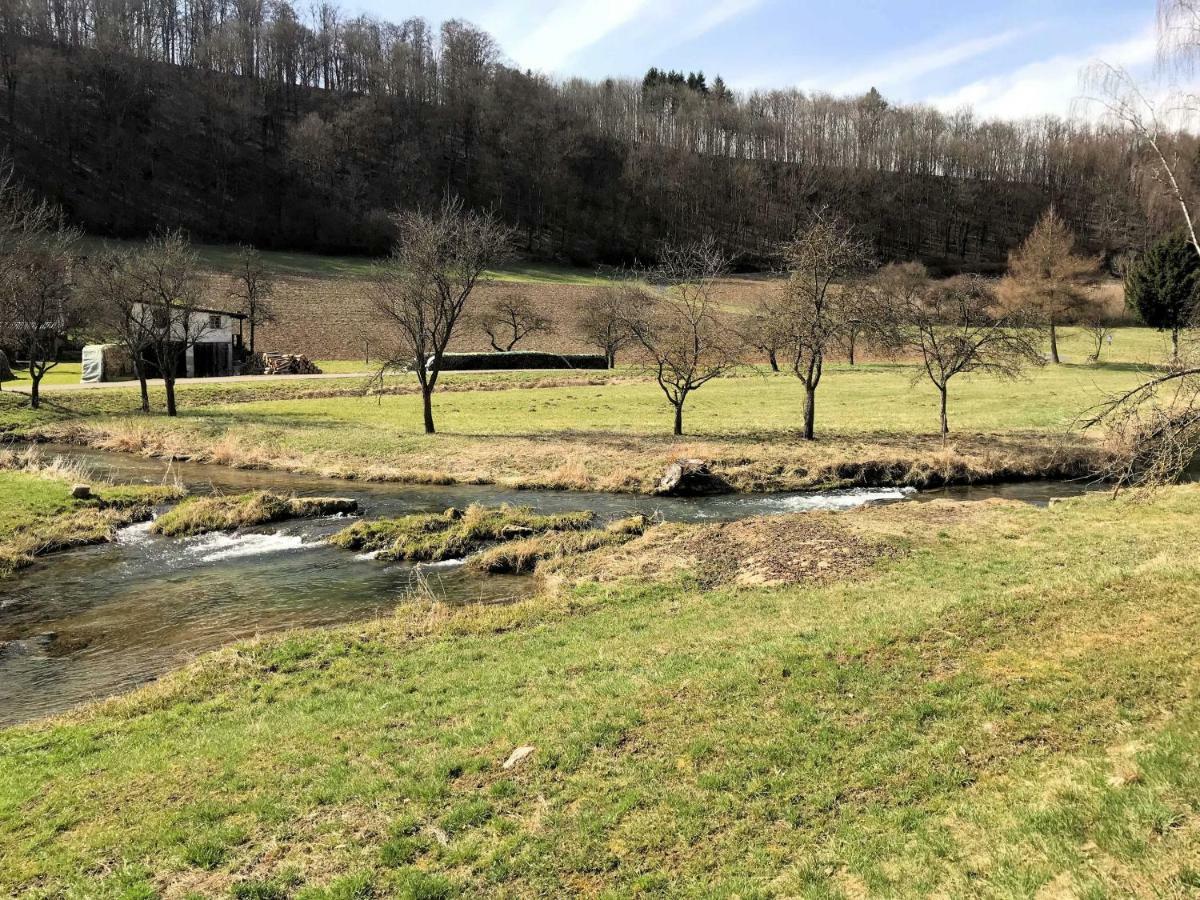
[1047, 279]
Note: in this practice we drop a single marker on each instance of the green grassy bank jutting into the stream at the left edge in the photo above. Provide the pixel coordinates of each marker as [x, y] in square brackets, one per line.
[39, 517]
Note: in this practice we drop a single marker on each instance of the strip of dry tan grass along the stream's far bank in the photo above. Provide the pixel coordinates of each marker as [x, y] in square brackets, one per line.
[631, 464]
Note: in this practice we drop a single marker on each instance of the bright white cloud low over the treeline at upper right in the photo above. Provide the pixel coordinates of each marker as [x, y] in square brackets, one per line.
[1047, 87]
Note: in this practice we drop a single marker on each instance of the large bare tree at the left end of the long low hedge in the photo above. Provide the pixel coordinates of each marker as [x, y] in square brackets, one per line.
[425, 285]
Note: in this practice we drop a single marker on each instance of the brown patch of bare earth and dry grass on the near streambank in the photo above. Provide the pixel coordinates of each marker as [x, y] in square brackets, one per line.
[772, 550]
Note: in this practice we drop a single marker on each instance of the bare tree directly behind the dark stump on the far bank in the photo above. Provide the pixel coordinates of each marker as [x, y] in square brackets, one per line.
[683, 338]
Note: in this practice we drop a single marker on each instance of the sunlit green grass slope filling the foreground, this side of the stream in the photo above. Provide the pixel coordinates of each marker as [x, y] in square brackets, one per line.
[1006, 705]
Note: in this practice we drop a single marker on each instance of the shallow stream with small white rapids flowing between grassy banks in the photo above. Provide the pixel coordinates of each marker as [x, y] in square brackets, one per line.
[100, 621]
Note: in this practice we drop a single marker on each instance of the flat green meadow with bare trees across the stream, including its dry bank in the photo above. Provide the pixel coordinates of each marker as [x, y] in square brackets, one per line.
[611, 431]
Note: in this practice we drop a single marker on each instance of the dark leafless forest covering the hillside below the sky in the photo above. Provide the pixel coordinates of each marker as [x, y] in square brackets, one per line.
[243, 121]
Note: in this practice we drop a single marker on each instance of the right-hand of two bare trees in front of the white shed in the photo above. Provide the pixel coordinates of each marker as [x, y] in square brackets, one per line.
[167, 275]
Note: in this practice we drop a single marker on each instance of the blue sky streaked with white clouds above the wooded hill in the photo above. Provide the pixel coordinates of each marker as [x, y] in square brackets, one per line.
[1004, 58]
